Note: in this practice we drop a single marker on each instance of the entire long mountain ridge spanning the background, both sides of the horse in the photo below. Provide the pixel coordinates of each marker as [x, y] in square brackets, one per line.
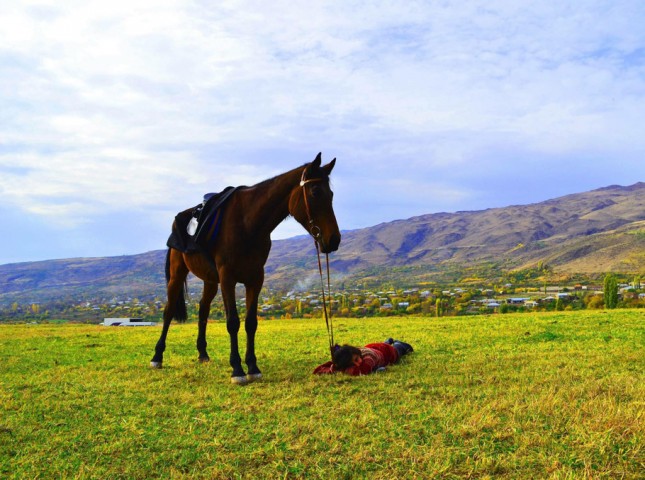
[590, 233]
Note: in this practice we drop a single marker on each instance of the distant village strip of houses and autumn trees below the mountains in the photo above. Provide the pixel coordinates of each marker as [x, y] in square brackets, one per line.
[348, 302]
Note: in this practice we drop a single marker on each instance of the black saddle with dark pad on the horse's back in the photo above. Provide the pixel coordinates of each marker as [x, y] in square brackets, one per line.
[195, 229]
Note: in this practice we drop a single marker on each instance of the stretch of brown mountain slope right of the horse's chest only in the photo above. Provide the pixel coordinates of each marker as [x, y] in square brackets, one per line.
[592, 232]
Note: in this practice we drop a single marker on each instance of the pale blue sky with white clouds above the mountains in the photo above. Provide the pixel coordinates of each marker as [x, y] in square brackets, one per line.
[114, 116]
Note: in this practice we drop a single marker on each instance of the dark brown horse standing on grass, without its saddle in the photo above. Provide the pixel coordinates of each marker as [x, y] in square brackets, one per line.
[240, 251]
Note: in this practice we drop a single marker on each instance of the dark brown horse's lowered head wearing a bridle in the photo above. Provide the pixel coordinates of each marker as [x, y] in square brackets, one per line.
[310, 204]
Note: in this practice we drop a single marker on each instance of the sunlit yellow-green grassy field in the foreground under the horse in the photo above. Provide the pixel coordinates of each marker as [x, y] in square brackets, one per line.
[553, 395]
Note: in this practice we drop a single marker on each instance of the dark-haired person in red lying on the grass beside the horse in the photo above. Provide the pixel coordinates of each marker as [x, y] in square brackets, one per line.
[362, 361]
